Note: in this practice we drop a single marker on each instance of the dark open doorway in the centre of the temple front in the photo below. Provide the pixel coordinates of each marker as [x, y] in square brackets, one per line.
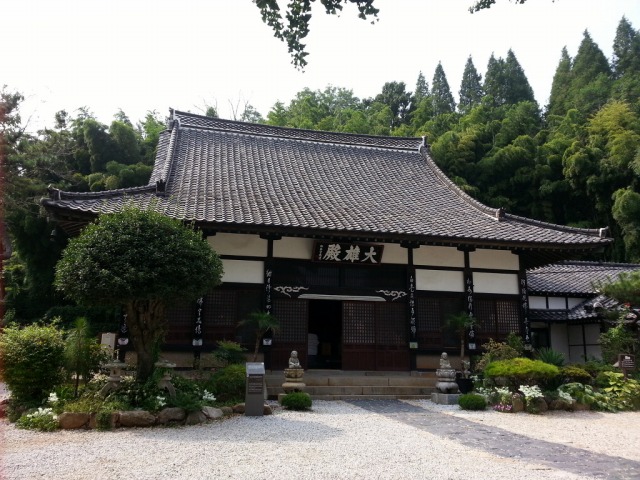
[325, 321]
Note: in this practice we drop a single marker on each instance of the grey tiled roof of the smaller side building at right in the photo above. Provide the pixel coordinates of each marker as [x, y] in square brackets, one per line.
[574, 278]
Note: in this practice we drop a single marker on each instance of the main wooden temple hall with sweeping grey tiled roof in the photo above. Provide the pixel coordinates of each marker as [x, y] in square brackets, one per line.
[358, 240]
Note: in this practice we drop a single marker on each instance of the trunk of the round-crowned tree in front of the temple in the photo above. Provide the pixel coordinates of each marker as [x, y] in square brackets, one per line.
[146, 322]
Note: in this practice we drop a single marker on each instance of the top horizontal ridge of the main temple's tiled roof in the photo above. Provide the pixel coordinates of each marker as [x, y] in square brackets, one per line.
[259, 129]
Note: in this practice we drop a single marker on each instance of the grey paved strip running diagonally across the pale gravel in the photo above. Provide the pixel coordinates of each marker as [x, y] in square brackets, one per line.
[503, 443]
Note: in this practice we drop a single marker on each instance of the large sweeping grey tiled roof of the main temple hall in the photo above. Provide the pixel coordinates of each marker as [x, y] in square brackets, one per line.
[226, 174]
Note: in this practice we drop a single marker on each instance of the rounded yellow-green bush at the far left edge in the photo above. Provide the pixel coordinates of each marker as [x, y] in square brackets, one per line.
[33, 360]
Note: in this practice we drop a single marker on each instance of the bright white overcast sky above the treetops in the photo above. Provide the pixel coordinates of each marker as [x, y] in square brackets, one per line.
[141, 55]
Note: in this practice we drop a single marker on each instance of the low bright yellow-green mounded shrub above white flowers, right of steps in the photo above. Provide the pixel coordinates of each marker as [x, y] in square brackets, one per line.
[522, 371]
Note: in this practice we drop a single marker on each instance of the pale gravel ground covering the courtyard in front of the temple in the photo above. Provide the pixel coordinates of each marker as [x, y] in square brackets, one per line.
[337, 440]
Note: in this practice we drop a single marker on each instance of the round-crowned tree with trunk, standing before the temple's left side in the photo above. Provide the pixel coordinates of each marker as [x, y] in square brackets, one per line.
[142, 260]
